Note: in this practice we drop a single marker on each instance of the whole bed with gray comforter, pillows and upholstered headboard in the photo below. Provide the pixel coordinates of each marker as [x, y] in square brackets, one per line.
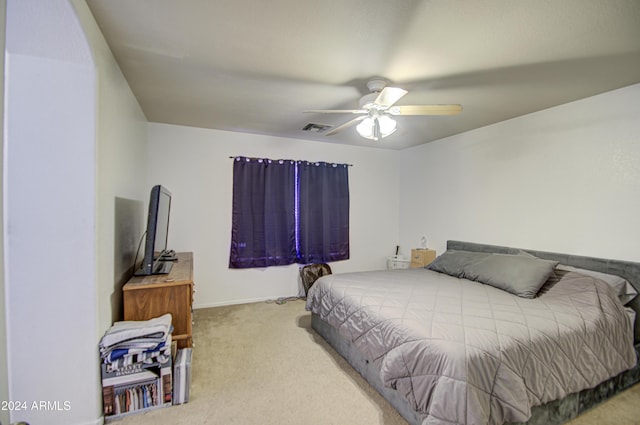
[461, 344]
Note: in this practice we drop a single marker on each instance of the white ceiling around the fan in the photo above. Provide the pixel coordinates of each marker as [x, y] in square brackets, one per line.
[254, 66]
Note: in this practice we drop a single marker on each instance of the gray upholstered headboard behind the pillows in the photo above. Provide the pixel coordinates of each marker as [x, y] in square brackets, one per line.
[626, 269]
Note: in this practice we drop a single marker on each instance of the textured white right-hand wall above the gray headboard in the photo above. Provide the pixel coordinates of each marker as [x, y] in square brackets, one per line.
[566, 179]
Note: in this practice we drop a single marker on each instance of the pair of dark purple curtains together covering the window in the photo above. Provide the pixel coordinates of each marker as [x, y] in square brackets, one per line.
[287, 212]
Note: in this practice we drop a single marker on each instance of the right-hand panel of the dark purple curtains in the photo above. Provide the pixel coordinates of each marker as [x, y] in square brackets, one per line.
[323, 209]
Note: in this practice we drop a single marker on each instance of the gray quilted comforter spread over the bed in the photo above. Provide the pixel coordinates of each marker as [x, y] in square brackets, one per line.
[466, 353]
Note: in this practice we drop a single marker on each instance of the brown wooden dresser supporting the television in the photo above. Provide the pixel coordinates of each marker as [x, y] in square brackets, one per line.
[146, 297]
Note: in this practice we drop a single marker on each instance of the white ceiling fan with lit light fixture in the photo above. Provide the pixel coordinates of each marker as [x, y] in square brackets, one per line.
[377, 107]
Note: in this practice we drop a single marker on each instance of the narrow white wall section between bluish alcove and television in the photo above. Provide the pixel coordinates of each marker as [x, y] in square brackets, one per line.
[121, 137]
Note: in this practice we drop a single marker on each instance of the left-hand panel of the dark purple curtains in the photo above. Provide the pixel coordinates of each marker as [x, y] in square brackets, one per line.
[263, 230]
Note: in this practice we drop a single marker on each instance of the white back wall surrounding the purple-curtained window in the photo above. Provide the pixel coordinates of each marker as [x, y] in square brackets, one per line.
[194, 165]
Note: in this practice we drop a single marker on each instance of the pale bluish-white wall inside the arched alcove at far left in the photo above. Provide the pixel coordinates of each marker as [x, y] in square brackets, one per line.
[50, 263]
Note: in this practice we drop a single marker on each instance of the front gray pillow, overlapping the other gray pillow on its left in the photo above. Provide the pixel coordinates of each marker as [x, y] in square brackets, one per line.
[518, 274]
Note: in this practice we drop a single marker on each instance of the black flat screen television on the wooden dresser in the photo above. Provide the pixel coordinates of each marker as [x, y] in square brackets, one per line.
[157, 258]
